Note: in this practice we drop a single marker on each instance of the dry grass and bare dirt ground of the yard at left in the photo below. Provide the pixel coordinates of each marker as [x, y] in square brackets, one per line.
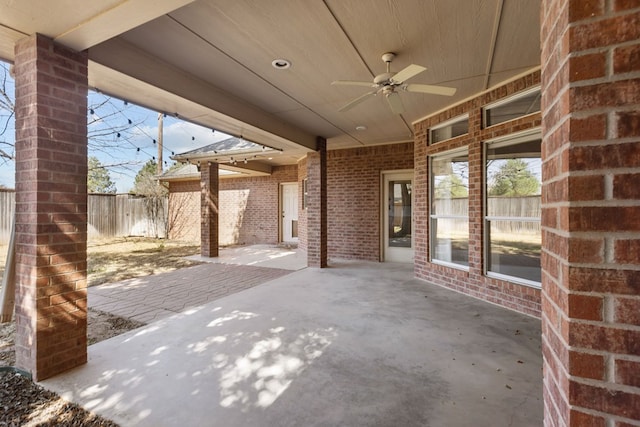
[27, 404]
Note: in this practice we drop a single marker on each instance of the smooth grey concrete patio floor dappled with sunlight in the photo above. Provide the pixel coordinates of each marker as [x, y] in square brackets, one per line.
[356, 344]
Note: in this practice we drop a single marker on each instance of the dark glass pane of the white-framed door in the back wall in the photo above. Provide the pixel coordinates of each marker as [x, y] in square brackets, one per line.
[400, 214]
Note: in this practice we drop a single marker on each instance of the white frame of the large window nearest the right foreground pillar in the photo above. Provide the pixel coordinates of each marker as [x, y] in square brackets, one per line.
[503, 141]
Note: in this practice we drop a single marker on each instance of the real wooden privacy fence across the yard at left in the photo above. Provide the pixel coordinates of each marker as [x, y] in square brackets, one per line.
[108, 215]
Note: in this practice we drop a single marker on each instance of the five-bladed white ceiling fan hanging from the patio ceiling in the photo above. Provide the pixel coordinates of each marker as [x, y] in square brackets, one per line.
[389, 83]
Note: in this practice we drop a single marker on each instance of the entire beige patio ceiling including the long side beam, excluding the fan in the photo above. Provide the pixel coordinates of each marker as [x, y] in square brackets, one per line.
[210, 60]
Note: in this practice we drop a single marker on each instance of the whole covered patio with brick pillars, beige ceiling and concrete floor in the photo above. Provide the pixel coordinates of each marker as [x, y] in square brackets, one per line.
[562, 78]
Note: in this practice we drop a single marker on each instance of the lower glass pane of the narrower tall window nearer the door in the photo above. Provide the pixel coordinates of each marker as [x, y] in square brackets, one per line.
[451, 240]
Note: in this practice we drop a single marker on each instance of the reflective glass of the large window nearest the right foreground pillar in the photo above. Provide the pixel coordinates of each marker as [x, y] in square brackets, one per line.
[513, 209]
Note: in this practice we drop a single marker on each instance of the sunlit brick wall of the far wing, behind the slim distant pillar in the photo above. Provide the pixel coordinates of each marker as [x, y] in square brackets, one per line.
[249, 208]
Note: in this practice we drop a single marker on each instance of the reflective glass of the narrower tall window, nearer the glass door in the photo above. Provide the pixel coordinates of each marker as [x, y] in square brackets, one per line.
[450, 208]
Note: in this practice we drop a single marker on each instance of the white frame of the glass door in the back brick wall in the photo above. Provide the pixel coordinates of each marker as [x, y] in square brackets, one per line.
[389, 253]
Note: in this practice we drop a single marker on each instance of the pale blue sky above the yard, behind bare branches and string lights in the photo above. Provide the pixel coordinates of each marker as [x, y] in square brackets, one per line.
[122, 136]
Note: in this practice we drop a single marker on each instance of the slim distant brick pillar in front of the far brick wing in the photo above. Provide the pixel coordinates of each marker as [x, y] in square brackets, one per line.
[209, 210]
